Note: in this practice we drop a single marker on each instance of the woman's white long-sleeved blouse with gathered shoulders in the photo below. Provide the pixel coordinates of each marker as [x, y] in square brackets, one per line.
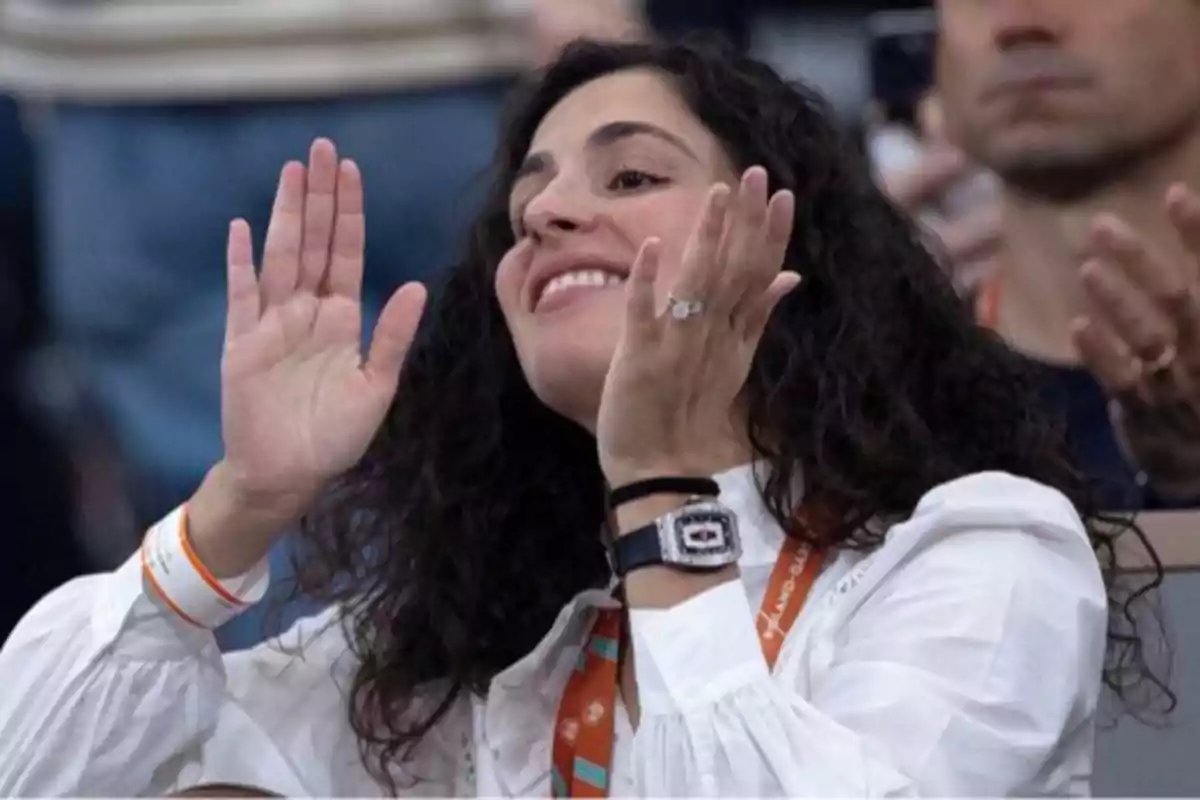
[962, 658]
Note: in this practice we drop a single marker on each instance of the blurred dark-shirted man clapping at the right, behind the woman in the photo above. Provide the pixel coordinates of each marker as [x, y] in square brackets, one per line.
[1088, 113]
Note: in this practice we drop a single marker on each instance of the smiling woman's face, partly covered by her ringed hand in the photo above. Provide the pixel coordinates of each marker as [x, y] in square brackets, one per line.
[617, 161]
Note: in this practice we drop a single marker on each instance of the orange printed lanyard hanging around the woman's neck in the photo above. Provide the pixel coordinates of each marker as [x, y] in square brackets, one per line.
[585, 729]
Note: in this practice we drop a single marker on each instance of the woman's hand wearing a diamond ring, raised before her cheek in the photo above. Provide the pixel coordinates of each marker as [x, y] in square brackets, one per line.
[669, 402]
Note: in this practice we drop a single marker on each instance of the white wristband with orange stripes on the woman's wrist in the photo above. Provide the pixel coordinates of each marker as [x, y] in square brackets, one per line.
[179, 580]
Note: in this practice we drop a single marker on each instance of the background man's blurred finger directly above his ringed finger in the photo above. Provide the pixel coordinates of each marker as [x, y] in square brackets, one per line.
[1126, 309]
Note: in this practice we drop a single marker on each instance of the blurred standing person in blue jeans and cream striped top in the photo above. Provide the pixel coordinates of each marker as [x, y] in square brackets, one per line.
[161, 122]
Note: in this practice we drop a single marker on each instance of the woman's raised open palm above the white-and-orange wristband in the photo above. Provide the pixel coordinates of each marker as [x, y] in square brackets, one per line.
[299, 402]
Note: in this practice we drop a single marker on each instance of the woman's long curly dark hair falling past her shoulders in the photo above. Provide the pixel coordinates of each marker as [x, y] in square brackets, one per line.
[476, 515]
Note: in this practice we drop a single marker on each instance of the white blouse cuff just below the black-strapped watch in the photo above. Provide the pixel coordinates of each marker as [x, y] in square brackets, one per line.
[697, 653]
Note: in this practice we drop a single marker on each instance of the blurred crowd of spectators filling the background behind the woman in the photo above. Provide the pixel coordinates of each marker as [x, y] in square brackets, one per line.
[133, 133]
